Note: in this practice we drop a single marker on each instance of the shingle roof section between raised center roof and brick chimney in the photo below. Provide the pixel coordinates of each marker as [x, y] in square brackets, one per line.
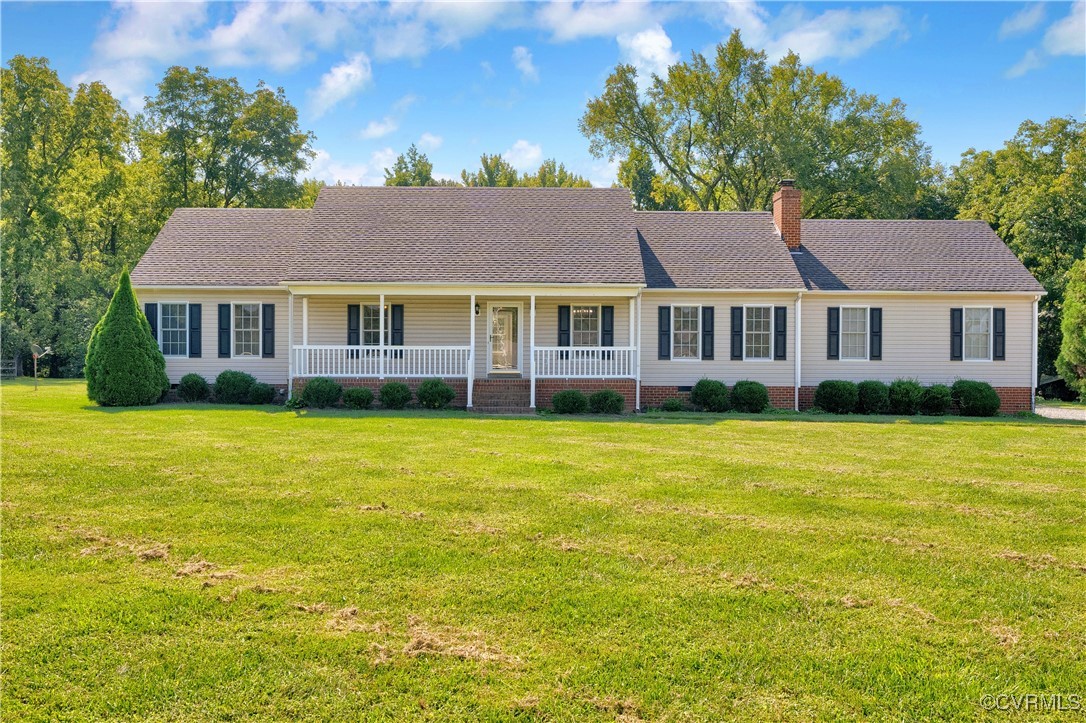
[709, 250]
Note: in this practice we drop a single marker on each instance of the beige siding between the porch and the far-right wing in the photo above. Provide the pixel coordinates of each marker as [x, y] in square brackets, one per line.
[684, 373]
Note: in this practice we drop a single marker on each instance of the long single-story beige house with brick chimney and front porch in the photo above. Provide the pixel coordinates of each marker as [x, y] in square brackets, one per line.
[513, 295]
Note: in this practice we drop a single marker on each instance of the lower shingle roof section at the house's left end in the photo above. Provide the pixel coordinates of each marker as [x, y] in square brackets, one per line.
[223, 247]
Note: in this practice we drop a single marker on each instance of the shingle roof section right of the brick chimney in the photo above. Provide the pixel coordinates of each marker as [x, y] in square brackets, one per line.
[908, 256]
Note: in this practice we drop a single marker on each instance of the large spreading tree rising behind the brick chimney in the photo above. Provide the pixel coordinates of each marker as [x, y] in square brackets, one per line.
[725, 133]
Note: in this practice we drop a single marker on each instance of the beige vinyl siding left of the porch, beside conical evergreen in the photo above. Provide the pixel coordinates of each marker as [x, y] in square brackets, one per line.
[273, 372]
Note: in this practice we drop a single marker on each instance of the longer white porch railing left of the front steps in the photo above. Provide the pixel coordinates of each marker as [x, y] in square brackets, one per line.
[377, 362]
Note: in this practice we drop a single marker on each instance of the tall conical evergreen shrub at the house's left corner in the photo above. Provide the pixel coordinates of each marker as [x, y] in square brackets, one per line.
[124, 365]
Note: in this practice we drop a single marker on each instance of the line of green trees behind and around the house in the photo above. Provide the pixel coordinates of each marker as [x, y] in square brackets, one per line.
[87, 186]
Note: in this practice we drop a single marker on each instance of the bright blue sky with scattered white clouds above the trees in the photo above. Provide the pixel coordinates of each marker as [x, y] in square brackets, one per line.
[464, 79]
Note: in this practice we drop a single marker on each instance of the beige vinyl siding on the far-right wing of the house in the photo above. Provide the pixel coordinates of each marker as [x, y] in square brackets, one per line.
[916, 332]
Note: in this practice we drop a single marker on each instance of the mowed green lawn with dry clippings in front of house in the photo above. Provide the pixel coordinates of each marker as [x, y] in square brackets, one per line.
[194, 562]
